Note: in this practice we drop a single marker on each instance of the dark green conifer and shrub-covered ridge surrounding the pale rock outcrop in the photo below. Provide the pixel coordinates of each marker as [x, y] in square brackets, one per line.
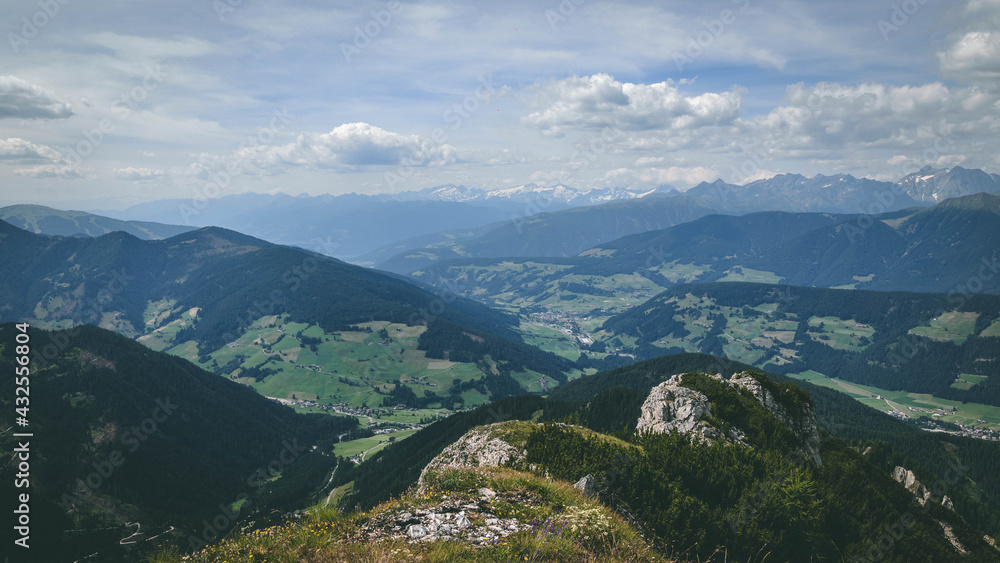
[842, 505]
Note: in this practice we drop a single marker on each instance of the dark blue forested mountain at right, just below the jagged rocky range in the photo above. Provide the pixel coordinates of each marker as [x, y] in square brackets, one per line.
[946, 248]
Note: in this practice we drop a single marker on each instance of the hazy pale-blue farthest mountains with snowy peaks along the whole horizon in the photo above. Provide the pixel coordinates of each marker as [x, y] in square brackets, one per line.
[384, 229]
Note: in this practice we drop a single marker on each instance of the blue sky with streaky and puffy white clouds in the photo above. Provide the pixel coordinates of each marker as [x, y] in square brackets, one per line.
[105, 104]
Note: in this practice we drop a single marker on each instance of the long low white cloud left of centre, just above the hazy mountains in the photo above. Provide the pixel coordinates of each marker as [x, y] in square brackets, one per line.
[350, 146]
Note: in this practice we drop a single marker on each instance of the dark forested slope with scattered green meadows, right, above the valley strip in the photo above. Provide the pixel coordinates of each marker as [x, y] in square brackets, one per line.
[916, 342]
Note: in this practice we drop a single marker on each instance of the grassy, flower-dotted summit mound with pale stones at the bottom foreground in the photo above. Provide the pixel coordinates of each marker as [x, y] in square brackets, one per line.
[542, 519]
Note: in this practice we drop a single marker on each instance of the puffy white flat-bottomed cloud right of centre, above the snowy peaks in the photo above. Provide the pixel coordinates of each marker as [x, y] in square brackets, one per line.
[599, 101]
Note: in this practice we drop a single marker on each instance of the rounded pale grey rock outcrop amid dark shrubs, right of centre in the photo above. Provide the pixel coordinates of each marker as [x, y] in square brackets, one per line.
[672, 408]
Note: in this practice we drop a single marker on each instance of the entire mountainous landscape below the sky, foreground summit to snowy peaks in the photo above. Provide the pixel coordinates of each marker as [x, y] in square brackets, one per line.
[543, 374]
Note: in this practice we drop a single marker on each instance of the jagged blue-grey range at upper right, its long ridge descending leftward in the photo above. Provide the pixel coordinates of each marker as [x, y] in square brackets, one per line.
[563, 233]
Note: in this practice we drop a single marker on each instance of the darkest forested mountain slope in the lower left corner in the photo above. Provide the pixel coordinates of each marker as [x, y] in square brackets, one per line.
[125, 434]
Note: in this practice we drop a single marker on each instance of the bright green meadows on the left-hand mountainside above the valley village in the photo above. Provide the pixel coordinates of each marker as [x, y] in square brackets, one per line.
[355, 367]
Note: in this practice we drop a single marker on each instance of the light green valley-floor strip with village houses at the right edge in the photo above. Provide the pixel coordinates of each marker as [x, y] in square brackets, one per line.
[912, 405]
